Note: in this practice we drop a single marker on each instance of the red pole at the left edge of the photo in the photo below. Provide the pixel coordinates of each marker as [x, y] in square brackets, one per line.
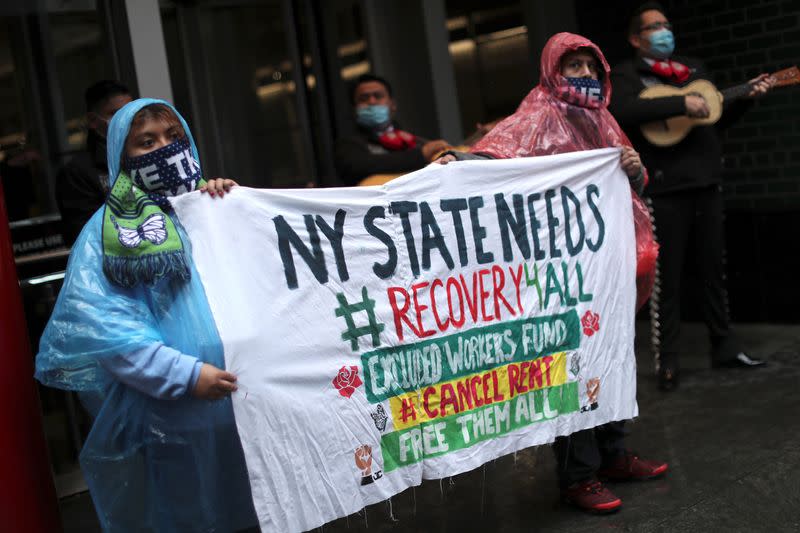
[28, 501]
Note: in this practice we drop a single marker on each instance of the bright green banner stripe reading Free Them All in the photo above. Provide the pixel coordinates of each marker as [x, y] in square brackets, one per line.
[456, 432]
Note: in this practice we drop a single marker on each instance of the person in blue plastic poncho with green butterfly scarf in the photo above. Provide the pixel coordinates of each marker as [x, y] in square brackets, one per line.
[133, 333]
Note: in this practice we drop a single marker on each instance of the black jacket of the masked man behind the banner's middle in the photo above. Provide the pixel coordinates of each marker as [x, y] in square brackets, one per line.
[360, 155]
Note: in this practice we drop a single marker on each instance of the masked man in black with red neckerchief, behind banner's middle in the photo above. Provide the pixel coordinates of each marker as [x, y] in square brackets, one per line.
[380, 146]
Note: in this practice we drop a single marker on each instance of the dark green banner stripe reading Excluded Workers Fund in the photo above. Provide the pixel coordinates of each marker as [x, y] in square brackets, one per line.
[393, 371]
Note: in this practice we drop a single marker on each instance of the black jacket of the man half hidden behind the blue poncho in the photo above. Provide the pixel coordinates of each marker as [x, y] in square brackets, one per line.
[82, 187]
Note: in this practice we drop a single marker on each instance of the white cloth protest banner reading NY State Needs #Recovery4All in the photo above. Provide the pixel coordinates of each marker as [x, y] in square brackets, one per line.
[385, 335]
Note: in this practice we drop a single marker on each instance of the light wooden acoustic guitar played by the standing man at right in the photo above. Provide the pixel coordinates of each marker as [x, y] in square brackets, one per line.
[672, 130]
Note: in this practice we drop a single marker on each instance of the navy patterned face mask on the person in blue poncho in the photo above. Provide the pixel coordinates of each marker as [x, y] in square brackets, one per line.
[168, 171]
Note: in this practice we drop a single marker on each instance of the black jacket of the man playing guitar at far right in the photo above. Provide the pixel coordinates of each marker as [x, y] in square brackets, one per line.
[696, 161]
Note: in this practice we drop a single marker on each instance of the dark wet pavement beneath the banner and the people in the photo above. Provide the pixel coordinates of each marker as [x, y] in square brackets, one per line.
[731, 437]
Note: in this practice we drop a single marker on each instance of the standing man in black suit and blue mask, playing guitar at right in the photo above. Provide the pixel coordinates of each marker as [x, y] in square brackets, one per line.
[685, 187]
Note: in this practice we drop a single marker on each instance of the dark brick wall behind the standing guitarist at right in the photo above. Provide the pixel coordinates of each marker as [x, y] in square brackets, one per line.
[739, 39]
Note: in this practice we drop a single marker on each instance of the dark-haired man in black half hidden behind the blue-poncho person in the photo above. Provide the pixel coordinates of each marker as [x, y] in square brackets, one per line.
[82, 184]
